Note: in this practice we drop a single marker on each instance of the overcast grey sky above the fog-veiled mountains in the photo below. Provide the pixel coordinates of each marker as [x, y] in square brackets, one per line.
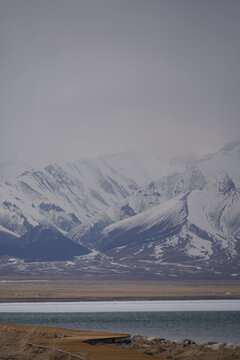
[80, 78]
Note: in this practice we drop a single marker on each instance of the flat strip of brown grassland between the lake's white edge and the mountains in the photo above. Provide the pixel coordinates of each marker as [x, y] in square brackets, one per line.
[68, 290]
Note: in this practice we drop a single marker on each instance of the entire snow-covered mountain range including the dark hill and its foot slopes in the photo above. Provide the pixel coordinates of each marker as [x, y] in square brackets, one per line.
[138, 214]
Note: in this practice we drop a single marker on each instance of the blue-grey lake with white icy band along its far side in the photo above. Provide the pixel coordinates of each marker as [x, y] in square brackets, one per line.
[195, 319]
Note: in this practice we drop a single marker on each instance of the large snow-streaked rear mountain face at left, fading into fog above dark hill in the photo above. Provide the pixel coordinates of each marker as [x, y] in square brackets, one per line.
[66, 195]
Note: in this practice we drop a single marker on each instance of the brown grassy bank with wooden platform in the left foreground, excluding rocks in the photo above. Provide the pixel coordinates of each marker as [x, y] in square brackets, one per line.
[19, 342]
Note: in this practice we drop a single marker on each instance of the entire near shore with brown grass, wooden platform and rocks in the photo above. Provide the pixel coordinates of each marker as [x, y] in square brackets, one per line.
[20, 342]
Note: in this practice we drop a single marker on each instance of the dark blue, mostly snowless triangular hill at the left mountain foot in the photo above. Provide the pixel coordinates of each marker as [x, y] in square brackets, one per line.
[43, 244]
